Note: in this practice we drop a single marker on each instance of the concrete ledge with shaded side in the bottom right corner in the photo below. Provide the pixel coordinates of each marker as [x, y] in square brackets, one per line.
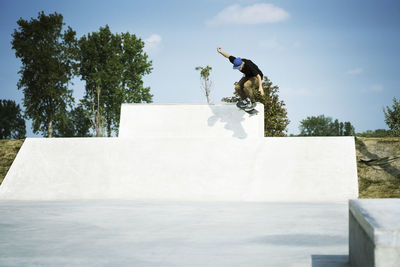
[374, 236]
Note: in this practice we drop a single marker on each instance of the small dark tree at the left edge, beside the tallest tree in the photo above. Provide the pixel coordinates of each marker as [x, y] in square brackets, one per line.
[12, 124]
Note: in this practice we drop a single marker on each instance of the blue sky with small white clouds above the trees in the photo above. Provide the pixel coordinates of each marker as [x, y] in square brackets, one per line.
[339, 58]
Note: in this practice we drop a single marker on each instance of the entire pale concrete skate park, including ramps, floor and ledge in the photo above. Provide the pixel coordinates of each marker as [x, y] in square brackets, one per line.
[192, 185]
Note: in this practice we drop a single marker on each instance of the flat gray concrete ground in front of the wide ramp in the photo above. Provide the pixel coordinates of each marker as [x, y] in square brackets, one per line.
[138, 233]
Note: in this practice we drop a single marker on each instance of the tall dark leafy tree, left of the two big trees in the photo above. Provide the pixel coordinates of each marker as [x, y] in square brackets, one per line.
[47, 55]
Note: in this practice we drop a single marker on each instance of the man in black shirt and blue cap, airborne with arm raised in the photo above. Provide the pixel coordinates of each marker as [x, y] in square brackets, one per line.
[251, 81]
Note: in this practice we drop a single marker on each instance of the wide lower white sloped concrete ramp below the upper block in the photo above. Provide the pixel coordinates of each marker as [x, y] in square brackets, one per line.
[185, 169]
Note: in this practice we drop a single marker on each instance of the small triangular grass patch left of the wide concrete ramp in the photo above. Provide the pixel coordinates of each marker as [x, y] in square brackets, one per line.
[8, 152]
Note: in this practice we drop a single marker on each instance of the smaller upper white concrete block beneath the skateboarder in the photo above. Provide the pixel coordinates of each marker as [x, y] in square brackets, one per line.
[182, 120]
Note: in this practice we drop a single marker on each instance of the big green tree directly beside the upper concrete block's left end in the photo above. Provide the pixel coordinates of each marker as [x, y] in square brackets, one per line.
[112, 66]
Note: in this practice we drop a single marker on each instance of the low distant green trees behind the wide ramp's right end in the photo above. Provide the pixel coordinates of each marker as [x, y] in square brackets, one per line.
[325, 126]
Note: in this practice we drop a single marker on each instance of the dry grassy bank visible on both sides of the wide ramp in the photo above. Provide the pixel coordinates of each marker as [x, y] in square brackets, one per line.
[378, 165]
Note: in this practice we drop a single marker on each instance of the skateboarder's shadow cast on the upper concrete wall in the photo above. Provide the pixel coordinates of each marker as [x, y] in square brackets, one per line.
[232, 120]
